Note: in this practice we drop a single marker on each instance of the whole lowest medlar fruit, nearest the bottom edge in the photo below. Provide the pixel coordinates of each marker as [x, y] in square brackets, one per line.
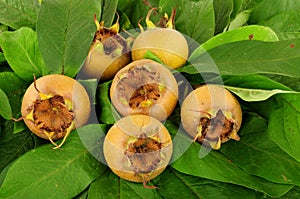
[138, 148]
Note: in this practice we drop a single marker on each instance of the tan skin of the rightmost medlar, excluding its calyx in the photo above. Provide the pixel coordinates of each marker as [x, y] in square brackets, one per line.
[208, 99]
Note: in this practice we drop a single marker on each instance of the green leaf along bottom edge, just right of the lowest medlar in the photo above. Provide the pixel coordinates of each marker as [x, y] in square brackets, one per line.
[172, 184]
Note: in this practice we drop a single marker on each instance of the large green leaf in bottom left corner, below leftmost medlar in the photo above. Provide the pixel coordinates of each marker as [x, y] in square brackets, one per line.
[39, 172]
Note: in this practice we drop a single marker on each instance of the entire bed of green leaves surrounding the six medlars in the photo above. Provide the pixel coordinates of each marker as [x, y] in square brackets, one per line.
[250, 46]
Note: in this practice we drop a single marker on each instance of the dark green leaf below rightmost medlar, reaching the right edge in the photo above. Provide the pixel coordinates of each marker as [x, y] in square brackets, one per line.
[255, 149]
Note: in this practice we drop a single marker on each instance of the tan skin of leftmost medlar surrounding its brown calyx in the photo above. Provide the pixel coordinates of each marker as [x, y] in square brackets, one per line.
[64, 86]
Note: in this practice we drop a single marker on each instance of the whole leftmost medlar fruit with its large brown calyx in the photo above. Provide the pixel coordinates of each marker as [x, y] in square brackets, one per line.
[54, 105]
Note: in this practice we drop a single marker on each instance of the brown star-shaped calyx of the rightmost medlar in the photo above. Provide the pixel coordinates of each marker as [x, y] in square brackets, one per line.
[216, 130]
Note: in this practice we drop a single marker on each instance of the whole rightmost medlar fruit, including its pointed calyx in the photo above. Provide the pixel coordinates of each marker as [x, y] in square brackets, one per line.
[211, 115]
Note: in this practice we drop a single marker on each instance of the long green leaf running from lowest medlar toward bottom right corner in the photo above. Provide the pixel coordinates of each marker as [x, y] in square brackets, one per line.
[217, 167]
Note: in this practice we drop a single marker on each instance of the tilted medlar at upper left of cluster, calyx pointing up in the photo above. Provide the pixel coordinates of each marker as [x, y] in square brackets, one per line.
[108, 53]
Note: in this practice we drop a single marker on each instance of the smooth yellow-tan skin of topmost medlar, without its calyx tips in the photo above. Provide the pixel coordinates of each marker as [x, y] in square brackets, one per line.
[167, 44]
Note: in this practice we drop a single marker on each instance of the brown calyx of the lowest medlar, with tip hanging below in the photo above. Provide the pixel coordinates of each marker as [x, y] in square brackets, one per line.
[144, 155]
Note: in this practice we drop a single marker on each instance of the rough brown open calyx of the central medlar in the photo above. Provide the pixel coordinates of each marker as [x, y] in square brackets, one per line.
[140, 87]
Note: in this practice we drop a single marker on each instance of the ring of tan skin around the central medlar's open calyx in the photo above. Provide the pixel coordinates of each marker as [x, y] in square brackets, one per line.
[164, 106]
